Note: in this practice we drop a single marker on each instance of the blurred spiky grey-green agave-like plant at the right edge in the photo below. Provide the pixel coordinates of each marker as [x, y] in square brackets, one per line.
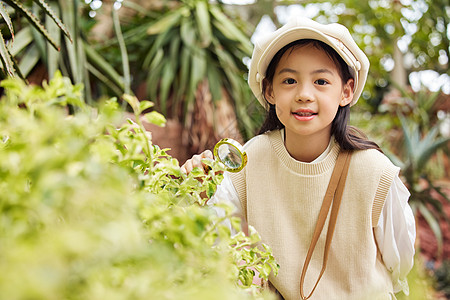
[419, 143]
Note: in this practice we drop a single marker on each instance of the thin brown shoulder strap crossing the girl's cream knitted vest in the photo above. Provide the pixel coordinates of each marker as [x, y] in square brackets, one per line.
[334, 191]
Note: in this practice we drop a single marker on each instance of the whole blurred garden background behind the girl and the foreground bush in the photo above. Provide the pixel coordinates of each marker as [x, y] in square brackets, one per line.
[190, 57]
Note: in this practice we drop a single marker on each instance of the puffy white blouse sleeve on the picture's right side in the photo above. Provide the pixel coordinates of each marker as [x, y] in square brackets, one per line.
[395, 235]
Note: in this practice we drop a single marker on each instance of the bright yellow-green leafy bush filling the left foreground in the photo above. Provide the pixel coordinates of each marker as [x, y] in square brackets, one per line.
[91, 209]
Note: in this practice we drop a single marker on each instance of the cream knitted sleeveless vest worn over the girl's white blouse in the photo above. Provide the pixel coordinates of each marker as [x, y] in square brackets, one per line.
[281, 198]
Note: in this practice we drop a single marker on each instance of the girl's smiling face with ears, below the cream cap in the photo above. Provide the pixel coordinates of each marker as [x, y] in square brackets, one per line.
[307, 91]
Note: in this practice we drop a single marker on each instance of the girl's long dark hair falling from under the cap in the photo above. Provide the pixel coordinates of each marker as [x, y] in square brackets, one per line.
[348, 137]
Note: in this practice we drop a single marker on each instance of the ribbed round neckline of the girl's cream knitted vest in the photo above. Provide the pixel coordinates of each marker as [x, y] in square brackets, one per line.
[326, 164]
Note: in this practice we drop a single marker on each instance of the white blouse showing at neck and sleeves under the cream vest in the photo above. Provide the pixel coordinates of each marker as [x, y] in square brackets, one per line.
[395, 233]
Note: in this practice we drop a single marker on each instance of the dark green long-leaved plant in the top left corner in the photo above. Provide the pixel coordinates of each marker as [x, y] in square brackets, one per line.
[55, 46]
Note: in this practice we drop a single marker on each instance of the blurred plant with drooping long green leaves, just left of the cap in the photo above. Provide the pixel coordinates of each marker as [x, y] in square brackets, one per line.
[189, 44]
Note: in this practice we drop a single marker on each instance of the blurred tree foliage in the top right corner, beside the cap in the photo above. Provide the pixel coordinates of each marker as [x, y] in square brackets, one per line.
[377, 26]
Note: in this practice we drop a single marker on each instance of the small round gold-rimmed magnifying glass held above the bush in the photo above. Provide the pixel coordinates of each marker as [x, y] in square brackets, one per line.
[231, 154]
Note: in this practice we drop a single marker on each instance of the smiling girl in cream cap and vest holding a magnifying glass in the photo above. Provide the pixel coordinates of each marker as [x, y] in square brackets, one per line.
[307, 75]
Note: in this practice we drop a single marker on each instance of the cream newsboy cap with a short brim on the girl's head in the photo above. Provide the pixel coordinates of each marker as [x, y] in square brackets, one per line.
[335, 35]
